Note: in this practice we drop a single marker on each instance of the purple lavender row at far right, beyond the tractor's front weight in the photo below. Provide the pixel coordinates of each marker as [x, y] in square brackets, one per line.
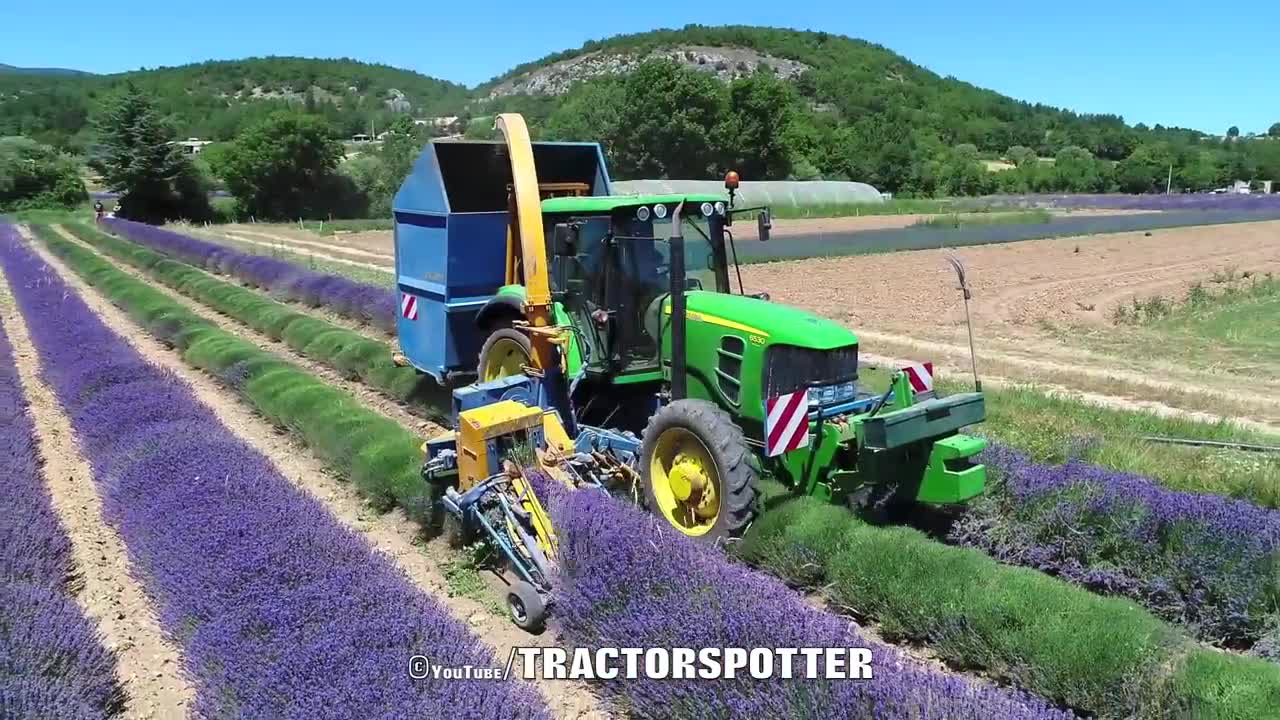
[1201, 560]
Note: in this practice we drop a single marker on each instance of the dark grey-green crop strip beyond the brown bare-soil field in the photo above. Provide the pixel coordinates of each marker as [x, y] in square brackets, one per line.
[817, 245]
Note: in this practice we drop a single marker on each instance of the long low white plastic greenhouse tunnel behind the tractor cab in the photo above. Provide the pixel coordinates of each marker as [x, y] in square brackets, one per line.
[775, 194]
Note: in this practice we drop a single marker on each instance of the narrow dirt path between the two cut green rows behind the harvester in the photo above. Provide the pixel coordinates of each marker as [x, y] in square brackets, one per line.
[367, 397]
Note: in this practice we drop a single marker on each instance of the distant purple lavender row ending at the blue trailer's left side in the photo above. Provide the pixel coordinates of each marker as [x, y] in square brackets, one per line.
[363, 303]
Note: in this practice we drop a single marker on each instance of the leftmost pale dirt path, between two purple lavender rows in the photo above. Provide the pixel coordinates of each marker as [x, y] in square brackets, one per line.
[148, 663]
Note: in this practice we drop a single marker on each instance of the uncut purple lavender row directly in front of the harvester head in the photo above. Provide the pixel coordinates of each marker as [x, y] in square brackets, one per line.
[659, 589]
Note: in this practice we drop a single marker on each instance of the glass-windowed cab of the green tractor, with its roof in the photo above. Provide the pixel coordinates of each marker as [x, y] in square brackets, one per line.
[611, 271]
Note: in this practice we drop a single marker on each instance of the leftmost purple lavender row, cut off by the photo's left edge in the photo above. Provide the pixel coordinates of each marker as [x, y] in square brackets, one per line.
[52, 659]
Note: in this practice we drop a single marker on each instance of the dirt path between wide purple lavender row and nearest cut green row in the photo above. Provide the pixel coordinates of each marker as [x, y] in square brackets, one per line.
[392, 534]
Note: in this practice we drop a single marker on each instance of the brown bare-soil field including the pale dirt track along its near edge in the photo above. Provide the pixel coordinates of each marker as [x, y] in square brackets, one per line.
[1028, 297]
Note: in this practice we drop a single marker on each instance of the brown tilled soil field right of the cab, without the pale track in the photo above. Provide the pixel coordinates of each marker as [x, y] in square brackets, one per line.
[1023, 284]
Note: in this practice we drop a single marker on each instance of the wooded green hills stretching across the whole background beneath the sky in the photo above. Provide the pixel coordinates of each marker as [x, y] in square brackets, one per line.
[775, 103]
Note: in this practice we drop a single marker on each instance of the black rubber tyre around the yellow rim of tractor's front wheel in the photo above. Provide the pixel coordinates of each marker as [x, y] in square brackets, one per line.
[737, 467]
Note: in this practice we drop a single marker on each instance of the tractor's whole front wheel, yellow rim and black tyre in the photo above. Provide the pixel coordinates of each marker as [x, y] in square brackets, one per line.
[679, 444]
